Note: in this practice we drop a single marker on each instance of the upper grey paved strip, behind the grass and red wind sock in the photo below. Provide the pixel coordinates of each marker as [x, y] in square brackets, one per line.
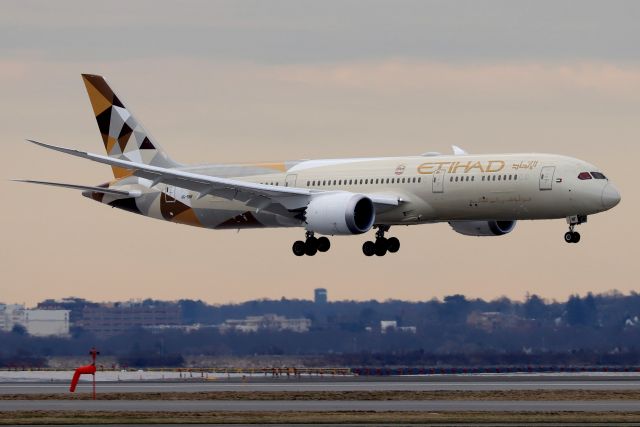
[430, 383]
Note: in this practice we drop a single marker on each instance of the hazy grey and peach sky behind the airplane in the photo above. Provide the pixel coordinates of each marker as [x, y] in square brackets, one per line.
[228, 81]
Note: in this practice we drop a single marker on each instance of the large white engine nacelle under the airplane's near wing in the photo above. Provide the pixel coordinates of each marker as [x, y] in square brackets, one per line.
[340, 213]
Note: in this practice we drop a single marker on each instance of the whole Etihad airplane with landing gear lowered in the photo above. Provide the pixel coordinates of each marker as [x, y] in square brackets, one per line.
[477, 195]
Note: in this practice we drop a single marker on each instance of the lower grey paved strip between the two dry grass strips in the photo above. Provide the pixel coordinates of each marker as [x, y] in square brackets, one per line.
[318, 405]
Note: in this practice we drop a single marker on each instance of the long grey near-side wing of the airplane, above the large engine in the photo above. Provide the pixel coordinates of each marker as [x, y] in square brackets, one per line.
[255, 195]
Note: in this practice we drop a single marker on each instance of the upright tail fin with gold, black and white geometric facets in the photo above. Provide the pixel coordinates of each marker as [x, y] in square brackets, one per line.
[123, 136]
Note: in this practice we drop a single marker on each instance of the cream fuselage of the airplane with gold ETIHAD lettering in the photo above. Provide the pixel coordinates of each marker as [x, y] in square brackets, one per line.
[431, 188]
